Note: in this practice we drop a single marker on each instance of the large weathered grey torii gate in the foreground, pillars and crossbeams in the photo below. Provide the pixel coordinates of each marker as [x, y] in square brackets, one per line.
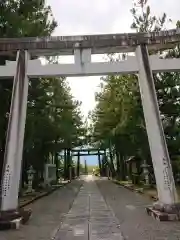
[82, 47]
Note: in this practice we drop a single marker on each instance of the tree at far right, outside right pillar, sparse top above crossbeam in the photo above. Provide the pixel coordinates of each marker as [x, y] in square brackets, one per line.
[168, 93]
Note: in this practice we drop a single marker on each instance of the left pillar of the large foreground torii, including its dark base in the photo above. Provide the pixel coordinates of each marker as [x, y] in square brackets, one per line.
[10, 214]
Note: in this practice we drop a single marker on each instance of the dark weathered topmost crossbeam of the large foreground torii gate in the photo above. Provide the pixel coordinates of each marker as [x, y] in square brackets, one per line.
[99, 44]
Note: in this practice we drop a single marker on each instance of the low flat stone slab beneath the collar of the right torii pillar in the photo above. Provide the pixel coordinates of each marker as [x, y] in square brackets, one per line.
[162, 216]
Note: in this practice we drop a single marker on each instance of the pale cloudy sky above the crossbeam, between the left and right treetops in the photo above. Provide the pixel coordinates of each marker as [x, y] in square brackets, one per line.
[84, 16]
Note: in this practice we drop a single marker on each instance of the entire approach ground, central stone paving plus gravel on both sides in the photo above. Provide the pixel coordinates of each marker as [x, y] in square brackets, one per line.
[92, 215]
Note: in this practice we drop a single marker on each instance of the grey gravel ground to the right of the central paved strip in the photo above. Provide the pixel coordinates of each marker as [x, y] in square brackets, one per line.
[129, 208]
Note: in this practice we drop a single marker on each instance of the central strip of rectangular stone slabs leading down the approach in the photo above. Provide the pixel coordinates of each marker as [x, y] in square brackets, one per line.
[90, 218]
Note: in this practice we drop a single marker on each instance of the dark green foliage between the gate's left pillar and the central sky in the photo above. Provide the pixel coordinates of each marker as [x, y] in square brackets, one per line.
[53, 120]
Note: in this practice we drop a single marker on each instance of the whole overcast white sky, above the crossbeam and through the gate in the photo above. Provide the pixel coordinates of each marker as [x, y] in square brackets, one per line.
[99, 16]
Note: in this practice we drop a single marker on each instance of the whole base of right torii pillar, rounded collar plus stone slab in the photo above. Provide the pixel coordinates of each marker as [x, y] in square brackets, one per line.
[164, 212]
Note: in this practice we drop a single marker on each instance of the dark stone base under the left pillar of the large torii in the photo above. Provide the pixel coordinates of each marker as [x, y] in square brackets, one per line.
[13, 219]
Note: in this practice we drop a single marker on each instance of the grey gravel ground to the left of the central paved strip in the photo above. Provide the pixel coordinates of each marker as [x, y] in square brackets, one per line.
[48, 213]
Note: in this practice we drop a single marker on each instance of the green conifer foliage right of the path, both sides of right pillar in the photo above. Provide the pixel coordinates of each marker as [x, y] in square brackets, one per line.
[118, 122]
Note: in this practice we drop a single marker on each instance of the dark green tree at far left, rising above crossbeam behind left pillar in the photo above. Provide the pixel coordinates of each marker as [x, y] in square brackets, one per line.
[19, 19]
